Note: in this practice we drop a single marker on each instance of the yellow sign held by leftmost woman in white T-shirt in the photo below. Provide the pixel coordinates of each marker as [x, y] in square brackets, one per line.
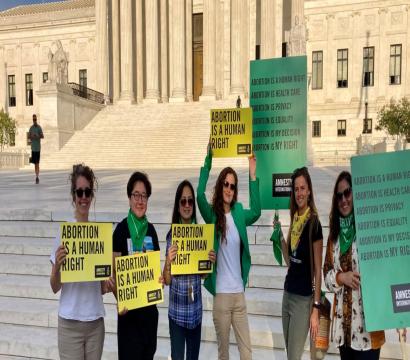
[89, 251]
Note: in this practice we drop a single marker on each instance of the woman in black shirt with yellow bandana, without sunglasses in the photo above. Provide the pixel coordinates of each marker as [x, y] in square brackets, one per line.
[304, 241]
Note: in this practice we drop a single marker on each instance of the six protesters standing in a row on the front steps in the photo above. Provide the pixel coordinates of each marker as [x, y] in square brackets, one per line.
[81, 310]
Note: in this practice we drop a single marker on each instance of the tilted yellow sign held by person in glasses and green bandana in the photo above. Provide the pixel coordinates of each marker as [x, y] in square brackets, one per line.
[137, 279]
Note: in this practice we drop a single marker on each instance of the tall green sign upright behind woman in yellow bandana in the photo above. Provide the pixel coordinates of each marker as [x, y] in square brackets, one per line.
[278, 97]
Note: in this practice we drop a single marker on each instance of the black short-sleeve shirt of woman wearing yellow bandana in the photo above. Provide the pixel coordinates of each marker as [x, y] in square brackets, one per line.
[298, 280]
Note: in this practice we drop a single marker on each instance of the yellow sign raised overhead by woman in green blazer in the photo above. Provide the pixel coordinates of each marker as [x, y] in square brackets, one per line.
[231, 132]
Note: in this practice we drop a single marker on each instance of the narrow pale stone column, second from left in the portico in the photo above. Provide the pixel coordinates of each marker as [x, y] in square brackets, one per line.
[116, 72]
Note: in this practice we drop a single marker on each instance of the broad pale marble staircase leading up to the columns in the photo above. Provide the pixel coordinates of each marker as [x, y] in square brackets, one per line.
[163, 136]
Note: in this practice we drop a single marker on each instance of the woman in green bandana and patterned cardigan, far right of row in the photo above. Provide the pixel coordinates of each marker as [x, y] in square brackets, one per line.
[341, 273]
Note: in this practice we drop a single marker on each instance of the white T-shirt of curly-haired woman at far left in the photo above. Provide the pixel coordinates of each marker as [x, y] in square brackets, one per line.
[80, 301]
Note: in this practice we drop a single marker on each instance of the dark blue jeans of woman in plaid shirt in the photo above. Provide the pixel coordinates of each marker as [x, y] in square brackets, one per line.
[179, 336]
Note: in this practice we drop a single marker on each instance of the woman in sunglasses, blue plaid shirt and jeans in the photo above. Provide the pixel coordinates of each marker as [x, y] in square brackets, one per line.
[185, 297]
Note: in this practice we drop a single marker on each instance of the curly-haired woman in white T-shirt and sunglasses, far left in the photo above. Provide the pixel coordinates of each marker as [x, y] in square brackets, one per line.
[81, 310]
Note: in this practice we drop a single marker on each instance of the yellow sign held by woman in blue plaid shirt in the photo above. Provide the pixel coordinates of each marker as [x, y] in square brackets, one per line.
[194, 243]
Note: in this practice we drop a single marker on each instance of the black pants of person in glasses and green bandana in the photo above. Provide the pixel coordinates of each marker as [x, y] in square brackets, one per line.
[137, 334]
